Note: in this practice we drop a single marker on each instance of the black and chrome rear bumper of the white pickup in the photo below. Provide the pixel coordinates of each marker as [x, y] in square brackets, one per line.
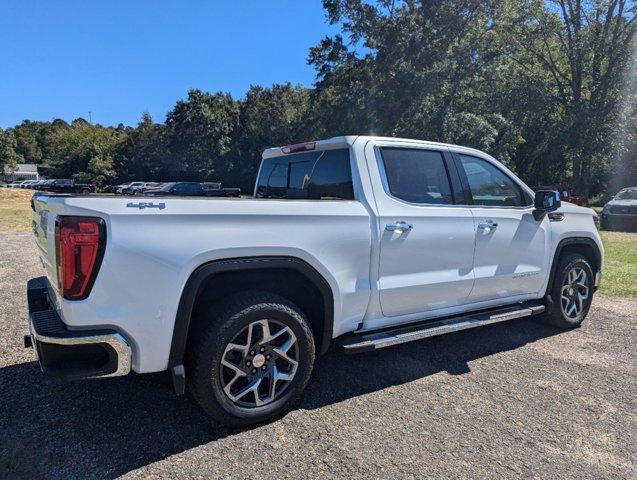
[72, 354]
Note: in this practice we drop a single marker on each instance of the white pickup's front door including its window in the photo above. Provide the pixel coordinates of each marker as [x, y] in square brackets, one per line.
[511, 252]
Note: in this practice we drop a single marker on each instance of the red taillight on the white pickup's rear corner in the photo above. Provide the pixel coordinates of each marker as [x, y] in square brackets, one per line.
[80, 243]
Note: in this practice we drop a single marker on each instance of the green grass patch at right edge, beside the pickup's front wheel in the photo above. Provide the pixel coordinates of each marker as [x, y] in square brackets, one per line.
[620, 264]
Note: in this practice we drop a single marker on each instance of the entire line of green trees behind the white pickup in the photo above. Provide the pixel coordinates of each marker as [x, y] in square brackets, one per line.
[549, 87]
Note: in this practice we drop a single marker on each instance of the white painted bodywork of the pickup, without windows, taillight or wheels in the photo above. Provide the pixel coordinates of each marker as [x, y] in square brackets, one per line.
[377, 280]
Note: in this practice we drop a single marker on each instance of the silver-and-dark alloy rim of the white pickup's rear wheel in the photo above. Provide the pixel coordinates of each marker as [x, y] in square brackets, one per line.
[259, 364]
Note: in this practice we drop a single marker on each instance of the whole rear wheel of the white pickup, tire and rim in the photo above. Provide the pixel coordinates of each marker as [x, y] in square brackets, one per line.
[250, 358]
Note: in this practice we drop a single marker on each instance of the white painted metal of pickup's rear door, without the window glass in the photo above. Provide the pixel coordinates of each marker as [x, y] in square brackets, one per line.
[430, 266]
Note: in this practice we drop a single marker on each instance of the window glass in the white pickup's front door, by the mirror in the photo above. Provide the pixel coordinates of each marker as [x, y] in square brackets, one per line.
[489, 185]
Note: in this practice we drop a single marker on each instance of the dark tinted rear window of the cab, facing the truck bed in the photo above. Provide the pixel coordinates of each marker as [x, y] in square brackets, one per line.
[323, 175]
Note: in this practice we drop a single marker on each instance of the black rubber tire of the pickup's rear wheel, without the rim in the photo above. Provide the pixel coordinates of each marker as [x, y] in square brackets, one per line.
[216, 328]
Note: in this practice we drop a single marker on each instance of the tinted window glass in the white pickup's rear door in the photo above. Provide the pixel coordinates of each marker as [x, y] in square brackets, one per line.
[416, 175]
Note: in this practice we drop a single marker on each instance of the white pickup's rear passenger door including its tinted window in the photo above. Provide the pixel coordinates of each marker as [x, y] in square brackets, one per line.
[426, 240]
